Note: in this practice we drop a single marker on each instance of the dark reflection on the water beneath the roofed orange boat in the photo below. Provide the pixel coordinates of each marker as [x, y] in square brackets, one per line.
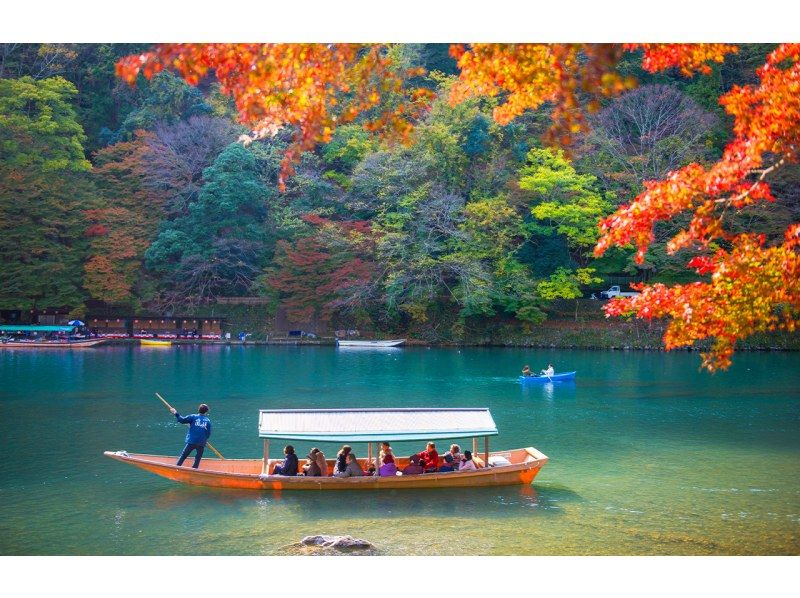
[498, 502]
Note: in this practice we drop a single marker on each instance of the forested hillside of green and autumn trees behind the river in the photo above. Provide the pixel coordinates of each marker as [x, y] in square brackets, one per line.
[145, 197]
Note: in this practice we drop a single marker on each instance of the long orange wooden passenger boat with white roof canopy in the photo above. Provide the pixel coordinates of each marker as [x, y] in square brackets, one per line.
[353, 426]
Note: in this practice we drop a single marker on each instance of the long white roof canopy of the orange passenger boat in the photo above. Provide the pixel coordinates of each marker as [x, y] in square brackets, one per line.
[374, 425]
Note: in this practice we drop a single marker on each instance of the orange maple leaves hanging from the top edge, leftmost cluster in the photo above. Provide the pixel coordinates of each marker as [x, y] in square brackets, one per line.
[310, 87]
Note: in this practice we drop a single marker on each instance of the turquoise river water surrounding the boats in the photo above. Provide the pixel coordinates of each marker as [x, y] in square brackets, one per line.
[648, 455]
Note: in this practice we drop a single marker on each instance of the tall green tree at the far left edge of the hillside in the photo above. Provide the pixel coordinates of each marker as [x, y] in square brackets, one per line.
[44, 191]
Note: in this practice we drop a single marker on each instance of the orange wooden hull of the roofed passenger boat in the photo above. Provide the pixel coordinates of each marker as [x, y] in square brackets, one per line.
[246, 474]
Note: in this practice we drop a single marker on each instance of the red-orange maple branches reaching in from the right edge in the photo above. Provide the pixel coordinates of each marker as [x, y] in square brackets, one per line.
[753, 287]
